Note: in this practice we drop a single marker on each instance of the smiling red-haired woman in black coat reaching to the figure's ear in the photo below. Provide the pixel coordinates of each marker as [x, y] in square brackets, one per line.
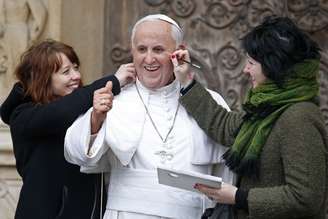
[45, 101]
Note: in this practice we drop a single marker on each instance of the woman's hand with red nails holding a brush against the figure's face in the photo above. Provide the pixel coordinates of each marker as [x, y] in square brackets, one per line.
[182, 69]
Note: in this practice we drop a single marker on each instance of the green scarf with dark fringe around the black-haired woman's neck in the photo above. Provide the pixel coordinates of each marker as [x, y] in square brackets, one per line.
[264, 105]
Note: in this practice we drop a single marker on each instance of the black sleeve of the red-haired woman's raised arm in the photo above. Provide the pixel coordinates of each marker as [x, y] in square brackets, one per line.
[56, 116]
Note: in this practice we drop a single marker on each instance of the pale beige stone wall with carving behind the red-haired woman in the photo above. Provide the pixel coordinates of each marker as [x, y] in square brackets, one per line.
[76, 22]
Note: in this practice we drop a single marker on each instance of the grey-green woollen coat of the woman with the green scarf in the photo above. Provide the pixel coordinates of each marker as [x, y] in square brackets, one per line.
[293, 175]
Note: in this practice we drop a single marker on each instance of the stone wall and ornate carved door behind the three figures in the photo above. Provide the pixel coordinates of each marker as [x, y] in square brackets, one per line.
[100, 30]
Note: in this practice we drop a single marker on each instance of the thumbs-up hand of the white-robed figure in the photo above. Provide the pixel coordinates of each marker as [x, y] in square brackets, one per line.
[102, 103]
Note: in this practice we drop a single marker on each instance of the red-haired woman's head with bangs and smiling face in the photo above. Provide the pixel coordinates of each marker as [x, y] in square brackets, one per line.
[49, 70]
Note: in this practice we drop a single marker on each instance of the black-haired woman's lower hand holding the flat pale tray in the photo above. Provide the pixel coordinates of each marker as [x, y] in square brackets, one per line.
[225, 195]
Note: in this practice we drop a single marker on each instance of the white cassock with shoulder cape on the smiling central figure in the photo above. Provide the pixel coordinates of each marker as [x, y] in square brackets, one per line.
[129, 148]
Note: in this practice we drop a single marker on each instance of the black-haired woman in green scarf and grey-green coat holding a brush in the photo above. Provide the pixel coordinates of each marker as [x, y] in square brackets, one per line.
[278, 145]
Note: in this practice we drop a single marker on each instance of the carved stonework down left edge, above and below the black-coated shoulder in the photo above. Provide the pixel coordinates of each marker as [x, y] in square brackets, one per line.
[21, 23]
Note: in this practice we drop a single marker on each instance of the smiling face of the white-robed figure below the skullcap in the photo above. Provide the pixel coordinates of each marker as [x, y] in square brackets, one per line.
[152, 47]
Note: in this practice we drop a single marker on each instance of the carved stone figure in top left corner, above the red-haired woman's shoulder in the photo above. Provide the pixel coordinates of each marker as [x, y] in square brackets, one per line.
[21, 23]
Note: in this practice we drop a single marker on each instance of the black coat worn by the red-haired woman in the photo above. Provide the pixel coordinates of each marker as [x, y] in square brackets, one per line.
[52, 187]
